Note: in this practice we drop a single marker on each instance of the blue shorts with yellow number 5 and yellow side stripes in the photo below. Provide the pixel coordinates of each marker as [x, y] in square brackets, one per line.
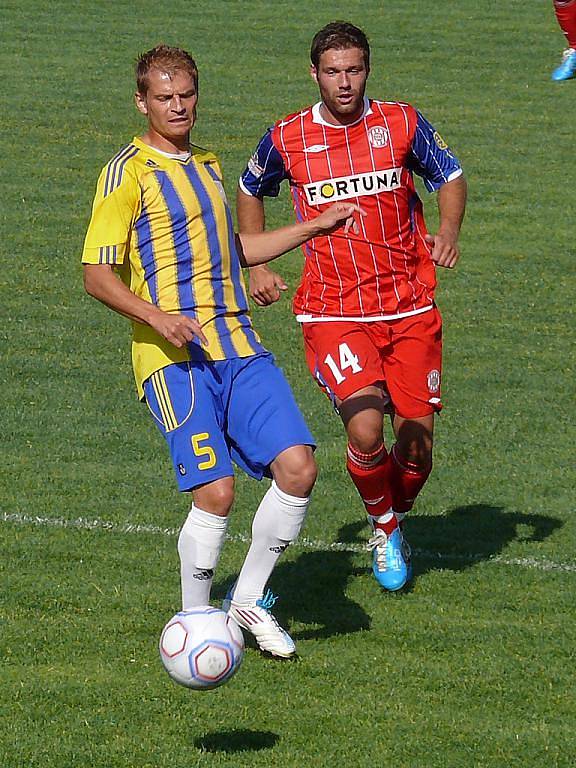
[213, 413]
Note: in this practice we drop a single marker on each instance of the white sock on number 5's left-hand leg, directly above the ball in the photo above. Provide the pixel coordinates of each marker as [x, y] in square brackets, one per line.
[199, 544]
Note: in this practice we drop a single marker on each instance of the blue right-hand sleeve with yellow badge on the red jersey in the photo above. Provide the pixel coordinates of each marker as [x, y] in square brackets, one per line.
[431, 157]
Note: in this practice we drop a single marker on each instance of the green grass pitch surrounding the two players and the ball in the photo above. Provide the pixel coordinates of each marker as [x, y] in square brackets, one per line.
[471, 667]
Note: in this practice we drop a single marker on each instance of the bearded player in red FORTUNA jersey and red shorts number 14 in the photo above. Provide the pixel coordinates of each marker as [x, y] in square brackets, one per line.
[372, 332]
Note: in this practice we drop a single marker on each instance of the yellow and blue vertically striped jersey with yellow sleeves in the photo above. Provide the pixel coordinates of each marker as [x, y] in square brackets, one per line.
[165, 225]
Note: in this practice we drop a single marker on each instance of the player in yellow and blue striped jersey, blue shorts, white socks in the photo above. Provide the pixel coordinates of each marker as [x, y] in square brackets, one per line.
[161, 222]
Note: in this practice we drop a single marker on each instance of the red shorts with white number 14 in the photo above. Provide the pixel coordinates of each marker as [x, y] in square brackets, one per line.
[405, 355]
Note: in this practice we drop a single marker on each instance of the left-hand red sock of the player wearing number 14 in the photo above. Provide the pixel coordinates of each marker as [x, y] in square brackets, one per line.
[368, 473]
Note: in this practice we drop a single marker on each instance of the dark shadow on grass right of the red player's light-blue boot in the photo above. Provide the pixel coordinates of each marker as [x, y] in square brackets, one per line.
[468, 535]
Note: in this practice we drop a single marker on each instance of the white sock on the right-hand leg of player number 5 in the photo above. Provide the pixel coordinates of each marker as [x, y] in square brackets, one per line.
[276, 523]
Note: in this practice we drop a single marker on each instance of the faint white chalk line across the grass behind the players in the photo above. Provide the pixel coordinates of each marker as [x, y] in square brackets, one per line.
[85, 524]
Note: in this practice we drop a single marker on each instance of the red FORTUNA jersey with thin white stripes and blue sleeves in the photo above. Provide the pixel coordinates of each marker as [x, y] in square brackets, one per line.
[386, 270]
